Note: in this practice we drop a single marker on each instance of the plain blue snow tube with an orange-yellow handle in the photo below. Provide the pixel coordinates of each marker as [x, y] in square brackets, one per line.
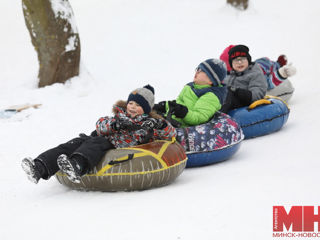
[262, 117]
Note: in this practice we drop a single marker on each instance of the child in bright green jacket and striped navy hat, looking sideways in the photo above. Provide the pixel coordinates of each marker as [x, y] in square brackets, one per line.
[199, 100]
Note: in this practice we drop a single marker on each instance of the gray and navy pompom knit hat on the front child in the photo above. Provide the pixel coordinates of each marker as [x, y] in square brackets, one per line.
[144, 97]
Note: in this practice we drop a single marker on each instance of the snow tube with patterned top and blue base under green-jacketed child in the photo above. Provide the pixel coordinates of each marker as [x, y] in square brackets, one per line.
[212, 142]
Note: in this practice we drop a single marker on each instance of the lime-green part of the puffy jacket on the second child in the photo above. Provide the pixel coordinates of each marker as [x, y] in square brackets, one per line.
[200, 109]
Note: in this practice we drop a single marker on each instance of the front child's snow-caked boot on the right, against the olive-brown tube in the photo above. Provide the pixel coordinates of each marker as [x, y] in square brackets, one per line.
[70, 167]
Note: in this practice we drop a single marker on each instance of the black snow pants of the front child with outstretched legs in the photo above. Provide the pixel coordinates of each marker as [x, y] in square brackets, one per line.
[91, 148]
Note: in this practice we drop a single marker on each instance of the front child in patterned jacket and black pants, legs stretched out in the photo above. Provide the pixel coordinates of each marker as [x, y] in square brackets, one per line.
[134, 123]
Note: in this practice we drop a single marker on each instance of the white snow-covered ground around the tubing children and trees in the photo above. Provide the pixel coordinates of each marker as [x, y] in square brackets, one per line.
[127, 44]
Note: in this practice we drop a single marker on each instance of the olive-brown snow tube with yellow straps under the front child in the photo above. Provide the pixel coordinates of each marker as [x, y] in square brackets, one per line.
[134, 168]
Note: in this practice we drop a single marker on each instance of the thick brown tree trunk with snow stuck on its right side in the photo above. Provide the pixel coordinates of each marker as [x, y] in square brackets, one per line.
[55, 37]
